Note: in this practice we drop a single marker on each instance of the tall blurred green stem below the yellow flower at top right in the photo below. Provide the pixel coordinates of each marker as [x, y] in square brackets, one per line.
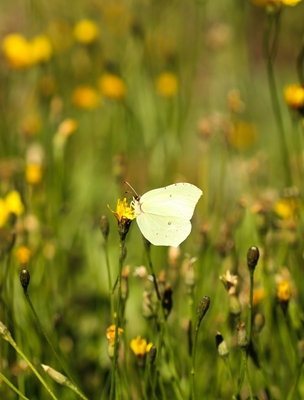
[270, 47]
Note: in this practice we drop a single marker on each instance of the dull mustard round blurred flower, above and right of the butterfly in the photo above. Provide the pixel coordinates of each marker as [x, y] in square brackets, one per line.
[242, 135]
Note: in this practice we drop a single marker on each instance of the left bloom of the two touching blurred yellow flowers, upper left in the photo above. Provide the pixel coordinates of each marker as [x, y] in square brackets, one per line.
[17, 51]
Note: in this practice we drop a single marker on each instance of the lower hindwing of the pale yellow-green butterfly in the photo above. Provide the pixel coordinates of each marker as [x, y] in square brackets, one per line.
[164, 231]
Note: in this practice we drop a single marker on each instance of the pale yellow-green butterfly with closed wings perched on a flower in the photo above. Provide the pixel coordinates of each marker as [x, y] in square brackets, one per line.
[163, 215]
